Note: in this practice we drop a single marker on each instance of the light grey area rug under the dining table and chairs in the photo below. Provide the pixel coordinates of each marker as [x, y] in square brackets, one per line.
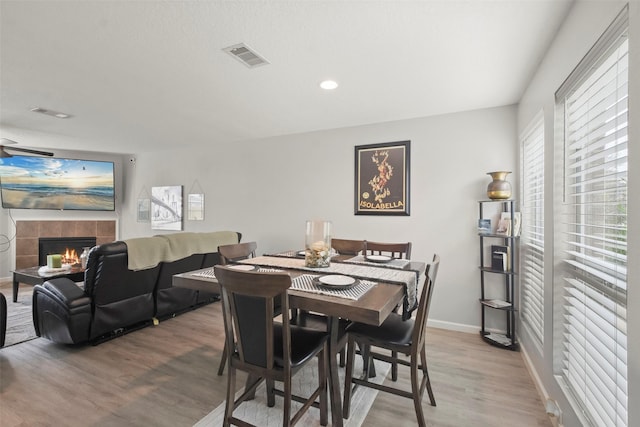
[258, 413]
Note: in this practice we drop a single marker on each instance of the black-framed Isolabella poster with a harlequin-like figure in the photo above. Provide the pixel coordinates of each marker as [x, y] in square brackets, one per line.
[382, 178]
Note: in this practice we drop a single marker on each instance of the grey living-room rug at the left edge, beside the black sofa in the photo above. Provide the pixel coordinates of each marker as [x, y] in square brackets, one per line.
[19, 317]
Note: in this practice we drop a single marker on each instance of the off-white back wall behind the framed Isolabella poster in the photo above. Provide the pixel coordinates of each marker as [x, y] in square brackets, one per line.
[266, 189]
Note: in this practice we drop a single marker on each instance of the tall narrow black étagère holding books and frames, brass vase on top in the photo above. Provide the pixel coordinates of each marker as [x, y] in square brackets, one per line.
[499, 270]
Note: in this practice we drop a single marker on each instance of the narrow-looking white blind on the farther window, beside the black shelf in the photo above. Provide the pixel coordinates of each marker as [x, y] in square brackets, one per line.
[532, 236]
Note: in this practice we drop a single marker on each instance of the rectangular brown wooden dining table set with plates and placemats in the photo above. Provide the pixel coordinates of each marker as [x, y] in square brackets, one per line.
[372, 308]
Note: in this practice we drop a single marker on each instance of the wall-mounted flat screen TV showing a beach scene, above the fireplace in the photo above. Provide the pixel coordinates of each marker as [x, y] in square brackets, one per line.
[28, 182]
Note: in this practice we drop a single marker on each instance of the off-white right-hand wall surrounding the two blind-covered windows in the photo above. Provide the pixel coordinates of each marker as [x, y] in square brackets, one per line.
[586, 22]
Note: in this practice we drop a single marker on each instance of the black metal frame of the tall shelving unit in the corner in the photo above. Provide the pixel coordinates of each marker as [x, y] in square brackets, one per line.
[506, 305]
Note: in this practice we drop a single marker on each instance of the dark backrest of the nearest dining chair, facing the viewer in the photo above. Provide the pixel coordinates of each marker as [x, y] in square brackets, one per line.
[248, 309]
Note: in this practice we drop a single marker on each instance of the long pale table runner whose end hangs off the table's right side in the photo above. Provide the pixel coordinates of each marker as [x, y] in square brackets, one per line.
[407, 278]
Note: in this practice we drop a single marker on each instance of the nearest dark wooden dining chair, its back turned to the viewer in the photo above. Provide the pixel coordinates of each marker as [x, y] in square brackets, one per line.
[267, 350]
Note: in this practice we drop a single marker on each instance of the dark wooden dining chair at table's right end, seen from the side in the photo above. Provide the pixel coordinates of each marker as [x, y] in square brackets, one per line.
[401, 337]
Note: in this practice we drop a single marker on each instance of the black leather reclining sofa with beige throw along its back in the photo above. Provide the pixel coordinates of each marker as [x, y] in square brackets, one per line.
[118, 296]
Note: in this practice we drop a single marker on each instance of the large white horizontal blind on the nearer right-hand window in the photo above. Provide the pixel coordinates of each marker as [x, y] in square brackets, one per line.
[593, 230]
